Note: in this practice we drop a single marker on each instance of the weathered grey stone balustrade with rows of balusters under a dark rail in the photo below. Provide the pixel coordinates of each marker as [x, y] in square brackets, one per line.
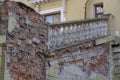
[61, 35]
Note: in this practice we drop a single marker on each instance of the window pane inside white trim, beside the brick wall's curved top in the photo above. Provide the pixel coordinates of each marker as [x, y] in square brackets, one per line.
[52, 18]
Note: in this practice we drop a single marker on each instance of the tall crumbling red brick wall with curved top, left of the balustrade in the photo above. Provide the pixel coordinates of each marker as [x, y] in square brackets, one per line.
[25, 42]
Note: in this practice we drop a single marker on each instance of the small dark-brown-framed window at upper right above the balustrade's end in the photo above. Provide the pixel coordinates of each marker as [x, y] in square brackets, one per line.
[99, 10]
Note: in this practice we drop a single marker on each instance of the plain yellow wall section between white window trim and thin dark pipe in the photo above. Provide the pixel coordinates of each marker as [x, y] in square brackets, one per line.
[75, 9]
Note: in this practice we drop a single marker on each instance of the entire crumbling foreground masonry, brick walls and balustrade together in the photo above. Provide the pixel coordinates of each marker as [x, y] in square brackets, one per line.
[35, 50]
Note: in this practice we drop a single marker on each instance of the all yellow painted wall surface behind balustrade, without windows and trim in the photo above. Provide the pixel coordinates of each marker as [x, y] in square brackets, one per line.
[75, 9]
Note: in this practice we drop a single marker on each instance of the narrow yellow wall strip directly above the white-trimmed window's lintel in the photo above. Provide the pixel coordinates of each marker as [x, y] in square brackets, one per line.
[50, 5]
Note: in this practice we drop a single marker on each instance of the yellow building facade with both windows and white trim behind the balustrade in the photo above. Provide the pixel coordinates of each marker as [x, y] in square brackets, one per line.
[67, 10]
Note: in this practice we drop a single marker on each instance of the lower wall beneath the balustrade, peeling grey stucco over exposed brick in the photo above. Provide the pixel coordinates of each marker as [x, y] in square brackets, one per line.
[83, 62]
